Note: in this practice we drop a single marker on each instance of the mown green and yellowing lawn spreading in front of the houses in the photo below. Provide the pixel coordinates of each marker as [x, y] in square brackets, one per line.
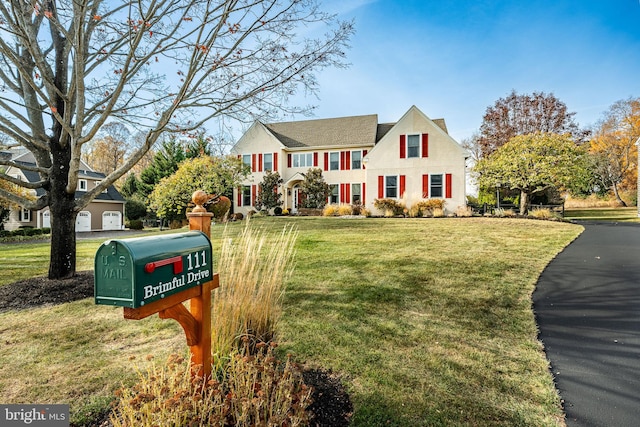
[428, 321]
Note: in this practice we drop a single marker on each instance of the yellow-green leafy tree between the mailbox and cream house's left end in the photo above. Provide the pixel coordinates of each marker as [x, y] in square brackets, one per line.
[214, 175]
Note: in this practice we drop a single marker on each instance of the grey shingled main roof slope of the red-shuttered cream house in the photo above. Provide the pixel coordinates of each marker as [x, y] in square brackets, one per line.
[343, 131]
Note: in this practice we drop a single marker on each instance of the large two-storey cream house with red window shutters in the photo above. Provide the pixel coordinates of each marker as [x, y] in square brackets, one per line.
[361, 160]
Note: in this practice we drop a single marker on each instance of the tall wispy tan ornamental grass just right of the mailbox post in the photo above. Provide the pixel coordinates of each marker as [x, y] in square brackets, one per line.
[253, 268]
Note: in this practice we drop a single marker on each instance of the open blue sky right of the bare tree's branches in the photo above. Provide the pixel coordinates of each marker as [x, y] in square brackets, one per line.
[454, 58]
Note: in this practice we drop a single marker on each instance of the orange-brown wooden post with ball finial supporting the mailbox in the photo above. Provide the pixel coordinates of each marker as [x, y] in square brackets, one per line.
[200, 307]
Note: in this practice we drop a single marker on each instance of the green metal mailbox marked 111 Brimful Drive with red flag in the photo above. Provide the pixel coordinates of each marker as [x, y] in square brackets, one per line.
[134, 272]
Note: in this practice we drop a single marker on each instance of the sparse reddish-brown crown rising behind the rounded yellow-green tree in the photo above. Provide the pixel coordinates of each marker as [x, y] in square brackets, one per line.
[525, 114]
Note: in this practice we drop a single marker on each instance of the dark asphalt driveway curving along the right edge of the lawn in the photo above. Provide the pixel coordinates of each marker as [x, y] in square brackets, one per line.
[587, 305]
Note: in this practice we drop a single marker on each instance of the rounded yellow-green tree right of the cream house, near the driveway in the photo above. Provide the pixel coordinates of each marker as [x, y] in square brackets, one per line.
[532, 164]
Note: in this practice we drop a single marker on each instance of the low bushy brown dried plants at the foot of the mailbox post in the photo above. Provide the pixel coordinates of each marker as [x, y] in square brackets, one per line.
[247, 390]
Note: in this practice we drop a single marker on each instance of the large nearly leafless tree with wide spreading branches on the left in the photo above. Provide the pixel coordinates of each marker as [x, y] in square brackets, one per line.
[69, 67]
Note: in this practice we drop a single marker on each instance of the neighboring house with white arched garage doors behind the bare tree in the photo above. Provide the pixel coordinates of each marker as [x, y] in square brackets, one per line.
[105, 212]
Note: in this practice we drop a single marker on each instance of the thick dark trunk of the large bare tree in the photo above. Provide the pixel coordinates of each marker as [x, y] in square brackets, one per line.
[62, 264]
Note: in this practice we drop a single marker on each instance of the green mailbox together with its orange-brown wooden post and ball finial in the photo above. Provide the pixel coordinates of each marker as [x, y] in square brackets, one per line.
[157, 274]
